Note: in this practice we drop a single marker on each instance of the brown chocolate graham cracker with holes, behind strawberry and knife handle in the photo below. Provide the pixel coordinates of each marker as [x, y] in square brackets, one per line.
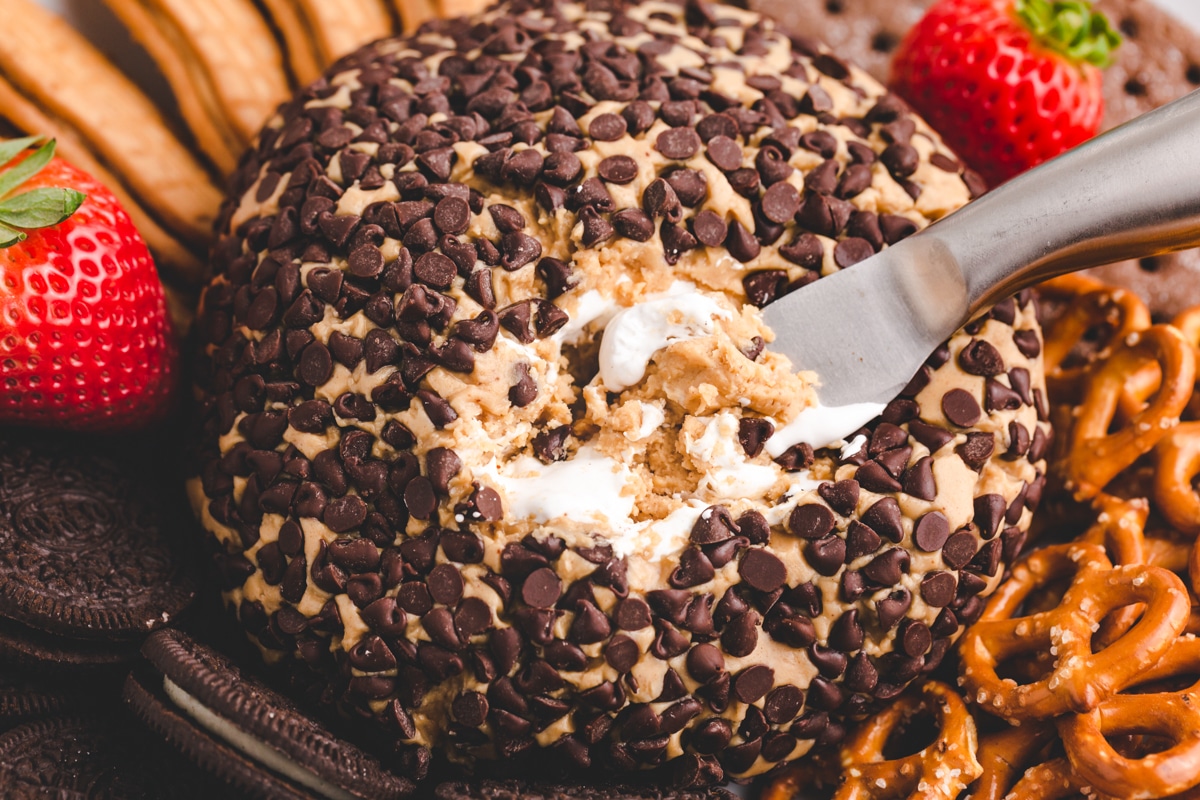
[1159, 62]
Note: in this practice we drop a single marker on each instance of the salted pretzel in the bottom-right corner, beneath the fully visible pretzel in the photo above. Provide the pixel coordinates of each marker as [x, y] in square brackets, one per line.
[1174, 717]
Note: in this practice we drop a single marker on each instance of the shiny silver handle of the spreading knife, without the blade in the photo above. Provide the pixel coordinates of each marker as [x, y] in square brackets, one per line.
[1132, 193]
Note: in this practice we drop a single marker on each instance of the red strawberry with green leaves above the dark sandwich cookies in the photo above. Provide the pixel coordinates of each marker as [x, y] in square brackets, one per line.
[86, 344]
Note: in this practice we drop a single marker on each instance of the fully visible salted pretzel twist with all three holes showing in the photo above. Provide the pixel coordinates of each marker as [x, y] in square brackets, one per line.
[1081, 679]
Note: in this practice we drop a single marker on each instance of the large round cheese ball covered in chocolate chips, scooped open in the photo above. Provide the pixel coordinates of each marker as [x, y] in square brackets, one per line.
[493, 448]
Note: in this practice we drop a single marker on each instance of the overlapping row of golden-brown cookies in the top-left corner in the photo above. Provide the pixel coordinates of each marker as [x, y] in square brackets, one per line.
[229, 65]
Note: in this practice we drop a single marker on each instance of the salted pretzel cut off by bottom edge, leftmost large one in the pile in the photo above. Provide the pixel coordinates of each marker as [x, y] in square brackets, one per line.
[944, 769]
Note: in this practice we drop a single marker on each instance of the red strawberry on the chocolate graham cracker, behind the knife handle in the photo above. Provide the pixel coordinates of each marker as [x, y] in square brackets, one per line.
[1007, 83]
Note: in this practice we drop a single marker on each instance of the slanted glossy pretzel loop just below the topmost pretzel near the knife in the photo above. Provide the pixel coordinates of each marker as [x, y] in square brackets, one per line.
[1097, 456]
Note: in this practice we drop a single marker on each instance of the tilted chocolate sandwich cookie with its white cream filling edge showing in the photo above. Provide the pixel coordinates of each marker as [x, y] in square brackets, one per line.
[249, 736]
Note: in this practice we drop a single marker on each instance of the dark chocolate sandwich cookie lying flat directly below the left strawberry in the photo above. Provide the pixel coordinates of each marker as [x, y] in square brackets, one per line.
[94, 556]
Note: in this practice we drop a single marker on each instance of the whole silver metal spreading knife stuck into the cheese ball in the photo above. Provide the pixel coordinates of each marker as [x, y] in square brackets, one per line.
[1132, 193]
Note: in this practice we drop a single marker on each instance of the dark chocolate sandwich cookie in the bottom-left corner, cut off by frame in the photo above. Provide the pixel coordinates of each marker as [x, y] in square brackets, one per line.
[100, 757]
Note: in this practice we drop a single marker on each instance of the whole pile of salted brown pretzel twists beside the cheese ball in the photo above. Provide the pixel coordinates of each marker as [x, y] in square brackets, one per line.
[1082, 679]
